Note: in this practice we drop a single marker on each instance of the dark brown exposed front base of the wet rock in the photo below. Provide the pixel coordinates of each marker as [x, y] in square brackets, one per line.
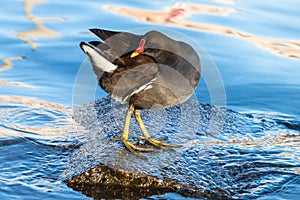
[104, 182]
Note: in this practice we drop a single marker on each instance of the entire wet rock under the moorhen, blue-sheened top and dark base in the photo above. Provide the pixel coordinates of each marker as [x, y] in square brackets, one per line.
[222, 151]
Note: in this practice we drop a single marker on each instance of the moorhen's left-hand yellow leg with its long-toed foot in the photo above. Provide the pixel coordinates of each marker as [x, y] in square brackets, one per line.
[133, 148]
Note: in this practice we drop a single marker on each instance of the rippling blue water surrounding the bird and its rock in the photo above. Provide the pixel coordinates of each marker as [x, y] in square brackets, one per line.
[36, 89]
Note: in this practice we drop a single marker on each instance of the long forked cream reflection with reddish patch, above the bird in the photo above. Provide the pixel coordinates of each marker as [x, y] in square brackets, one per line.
[176, 16]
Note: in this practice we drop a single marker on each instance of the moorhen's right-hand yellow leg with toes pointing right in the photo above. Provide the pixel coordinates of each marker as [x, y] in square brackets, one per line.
[156, 142]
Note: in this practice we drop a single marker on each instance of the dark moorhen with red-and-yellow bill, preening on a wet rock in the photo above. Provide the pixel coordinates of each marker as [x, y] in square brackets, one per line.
[150, 71]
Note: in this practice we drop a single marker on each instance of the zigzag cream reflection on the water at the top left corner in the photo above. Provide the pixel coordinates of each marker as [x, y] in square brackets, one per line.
[40, 31]
